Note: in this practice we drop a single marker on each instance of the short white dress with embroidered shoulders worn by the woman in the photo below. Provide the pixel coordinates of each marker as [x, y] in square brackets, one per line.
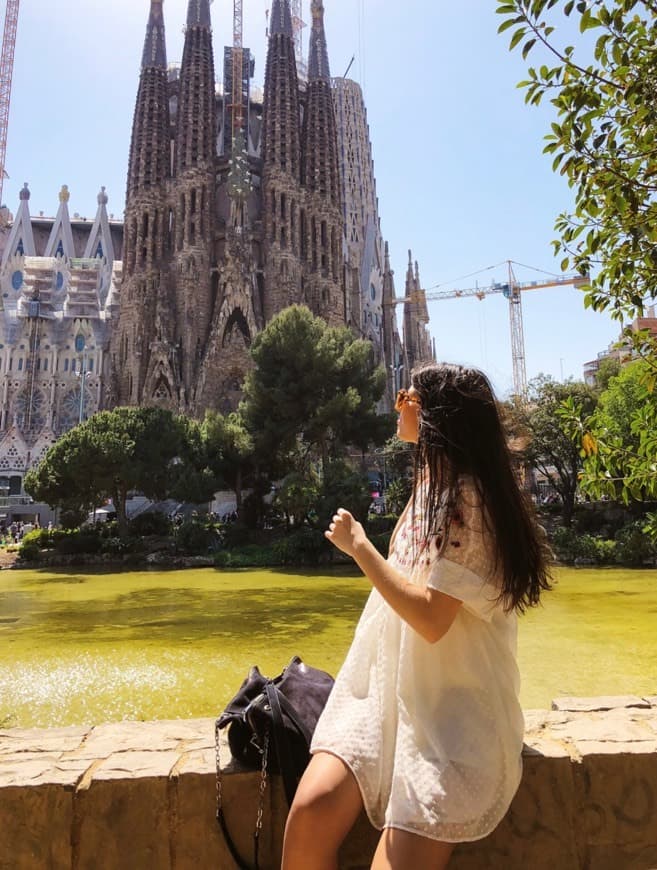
[433, 733]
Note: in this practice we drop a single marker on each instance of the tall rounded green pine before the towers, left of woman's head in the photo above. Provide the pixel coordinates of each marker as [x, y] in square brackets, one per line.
[314, 389]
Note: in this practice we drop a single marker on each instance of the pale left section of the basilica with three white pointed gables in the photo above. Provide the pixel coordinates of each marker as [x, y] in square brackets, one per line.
[59, 280]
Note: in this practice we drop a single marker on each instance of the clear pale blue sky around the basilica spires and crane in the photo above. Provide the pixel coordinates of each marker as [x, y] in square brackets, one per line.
[460, 174]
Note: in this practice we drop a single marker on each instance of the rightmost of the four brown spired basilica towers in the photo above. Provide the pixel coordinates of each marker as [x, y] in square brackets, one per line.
[323, 223]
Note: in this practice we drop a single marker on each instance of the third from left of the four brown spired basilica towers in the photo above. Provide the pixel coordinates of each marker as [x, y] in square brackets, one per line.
[283, 206]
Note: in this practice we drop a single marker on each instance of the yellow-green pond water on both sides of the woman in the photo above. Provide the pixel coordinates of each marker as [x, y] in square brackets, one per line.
[81, 648]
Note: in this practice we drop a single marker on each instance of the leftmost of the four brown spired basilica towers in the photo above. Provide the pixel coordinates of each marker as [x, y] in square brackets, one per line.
[143, 360]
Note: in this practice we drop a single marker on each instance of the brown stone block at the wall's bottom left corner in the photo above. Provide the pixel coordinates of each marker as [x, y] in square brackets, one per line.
[35, 827]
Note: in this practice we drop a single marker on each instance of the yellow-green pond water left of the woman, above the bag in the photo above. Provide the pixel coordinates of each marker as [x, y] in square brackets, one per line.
[86, 649]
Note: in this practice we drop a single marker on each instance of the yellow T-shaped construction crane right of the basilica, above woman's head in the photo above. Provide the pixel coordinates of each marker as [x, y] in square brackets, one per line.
[511, 290]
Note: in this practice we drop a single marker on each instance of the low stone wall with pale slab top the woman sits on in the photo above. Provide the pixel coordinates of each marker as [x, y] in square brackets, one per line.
[139, 795]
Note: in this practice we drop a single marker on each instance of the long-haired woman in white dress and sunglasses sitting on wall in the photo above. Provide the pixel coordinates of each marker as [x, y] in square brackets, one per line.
[423, 727]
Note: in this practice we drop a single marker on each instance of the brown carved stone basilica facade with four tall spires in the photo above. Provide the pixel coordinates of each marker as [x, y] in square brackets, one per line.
[235, 210]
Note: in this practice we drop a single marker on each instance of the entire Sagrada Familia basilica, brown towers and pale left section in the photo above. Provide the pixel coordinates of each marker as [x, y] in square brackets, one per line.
[240, 202]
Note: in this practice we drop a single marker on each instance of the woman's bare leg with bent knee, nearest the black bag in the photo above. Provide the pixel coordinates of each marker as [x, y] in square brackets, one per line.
[324, 810]
